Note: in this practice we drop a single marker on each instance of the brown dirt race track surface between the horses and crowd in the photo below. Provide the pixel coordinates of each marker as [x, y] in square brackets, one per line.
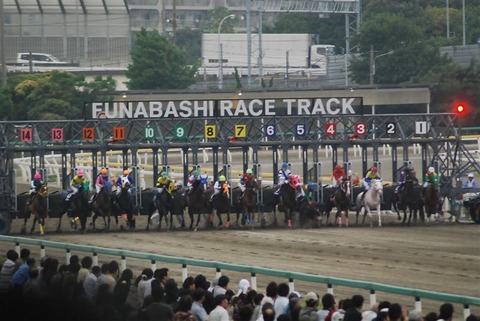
[439, 256]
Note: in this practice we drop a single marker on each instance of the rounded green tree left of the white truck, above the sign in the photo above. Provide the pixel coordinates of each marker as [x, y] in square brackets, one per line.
[158, 64]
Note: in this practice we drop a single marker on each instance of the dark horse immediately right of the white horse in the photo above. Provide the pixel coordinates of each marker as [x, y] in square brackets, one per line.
[407, 197]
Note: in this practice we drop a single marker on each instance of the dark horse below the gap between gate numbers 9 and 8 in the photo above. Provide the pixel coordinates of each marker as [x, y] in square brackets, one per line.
[197, 201]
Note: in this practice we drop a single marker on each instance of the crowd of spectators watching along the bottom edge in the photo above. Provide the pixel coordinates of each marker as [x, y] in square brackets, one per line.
[80, 291]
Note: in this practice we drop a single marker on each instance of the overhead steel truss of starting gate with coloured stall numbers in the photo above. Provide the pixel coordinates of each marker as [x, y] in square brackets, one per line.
[440, 142]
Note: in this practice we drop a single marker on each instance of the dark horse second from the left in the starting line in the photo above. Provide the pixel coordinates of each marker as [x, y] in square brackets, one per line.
[80, 207]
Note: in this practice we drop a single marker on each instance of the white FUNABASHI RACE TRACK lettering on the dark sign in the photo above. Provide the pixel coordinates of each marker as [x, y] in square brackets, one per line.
[225, 108]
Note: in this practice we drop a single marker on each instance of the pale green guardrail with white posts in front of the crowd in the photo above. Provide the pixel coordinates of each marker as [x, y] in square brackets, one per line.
[418, 294]
